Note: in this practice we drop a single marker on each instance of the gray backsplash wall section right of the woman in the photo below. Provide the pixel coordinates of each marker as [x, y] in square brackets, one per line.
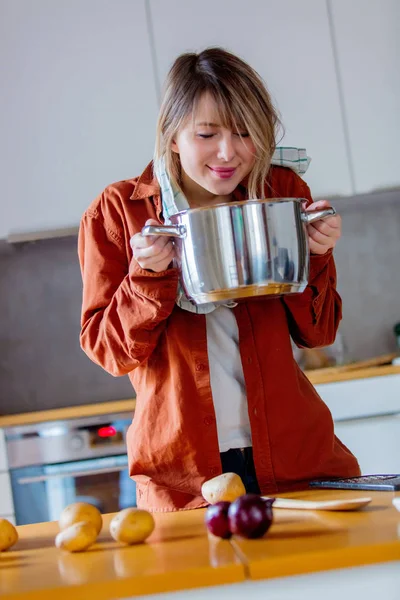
[368, 263]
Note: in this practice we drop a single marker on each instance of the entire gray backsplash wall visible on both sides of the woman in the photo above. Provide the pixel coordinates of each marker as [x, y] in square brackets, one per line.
[42, 366]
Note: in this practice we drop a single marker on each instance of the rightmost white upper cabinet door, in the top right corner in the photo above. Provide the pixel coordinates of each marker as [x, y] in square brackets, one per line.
[368, 47]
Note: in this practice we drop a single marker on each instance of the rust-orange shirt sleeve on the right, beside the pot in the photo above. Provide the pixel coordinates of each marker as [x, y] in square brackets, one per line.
[314, 315]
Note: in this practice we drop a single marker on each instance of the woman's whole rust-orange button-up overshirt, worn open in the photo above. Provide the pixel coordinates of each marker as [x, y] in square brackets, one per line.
[131, 325]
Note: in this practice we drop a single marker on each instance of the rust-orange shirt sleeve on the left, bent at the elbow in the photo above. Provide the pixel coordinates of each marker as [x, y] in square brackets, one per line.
[124, 307]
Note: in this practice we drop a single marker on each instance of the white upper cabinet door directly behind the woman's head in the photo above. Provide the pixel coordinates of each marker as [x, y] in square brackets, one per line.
[289, 44]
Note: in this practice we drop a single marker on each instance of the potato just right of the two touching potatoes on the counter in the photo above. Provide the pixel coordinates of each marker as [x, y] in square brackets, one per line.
[131, 526]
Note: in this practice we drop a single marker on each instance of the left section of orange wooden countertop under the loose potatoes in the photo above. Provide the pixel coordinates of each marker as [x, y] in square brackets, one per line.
[178, 555]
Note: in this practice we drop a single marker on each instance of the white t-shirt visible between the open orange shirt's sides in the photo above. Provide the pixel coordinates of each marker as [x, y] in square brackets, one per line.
[227, 380]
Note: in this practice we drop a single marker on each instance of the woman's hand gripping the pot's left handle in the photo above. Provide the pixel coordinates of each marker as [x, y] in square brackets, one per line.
[154, 252]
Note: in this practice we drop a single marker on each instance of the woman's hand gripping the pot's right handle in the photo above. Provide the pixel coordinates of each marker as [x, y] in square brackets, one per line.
[323, 235]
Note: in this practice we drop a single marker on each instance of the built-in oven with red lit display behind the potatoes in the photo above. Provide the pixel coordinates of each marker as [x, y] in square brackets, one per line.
[79, 460]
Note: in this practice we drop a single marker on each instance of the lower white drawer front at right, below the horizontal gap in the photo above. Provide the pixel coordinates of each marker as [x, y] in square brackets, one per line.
[375, 441]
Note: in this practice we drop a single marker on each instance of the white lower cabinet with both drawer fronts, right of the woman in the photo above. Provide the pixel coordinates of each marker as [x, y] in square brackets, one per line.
[367, 420]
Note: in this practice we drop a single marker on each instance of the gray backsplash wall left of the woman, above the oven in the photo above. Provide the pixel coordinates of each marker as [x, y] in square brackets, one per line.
[41, 363]
